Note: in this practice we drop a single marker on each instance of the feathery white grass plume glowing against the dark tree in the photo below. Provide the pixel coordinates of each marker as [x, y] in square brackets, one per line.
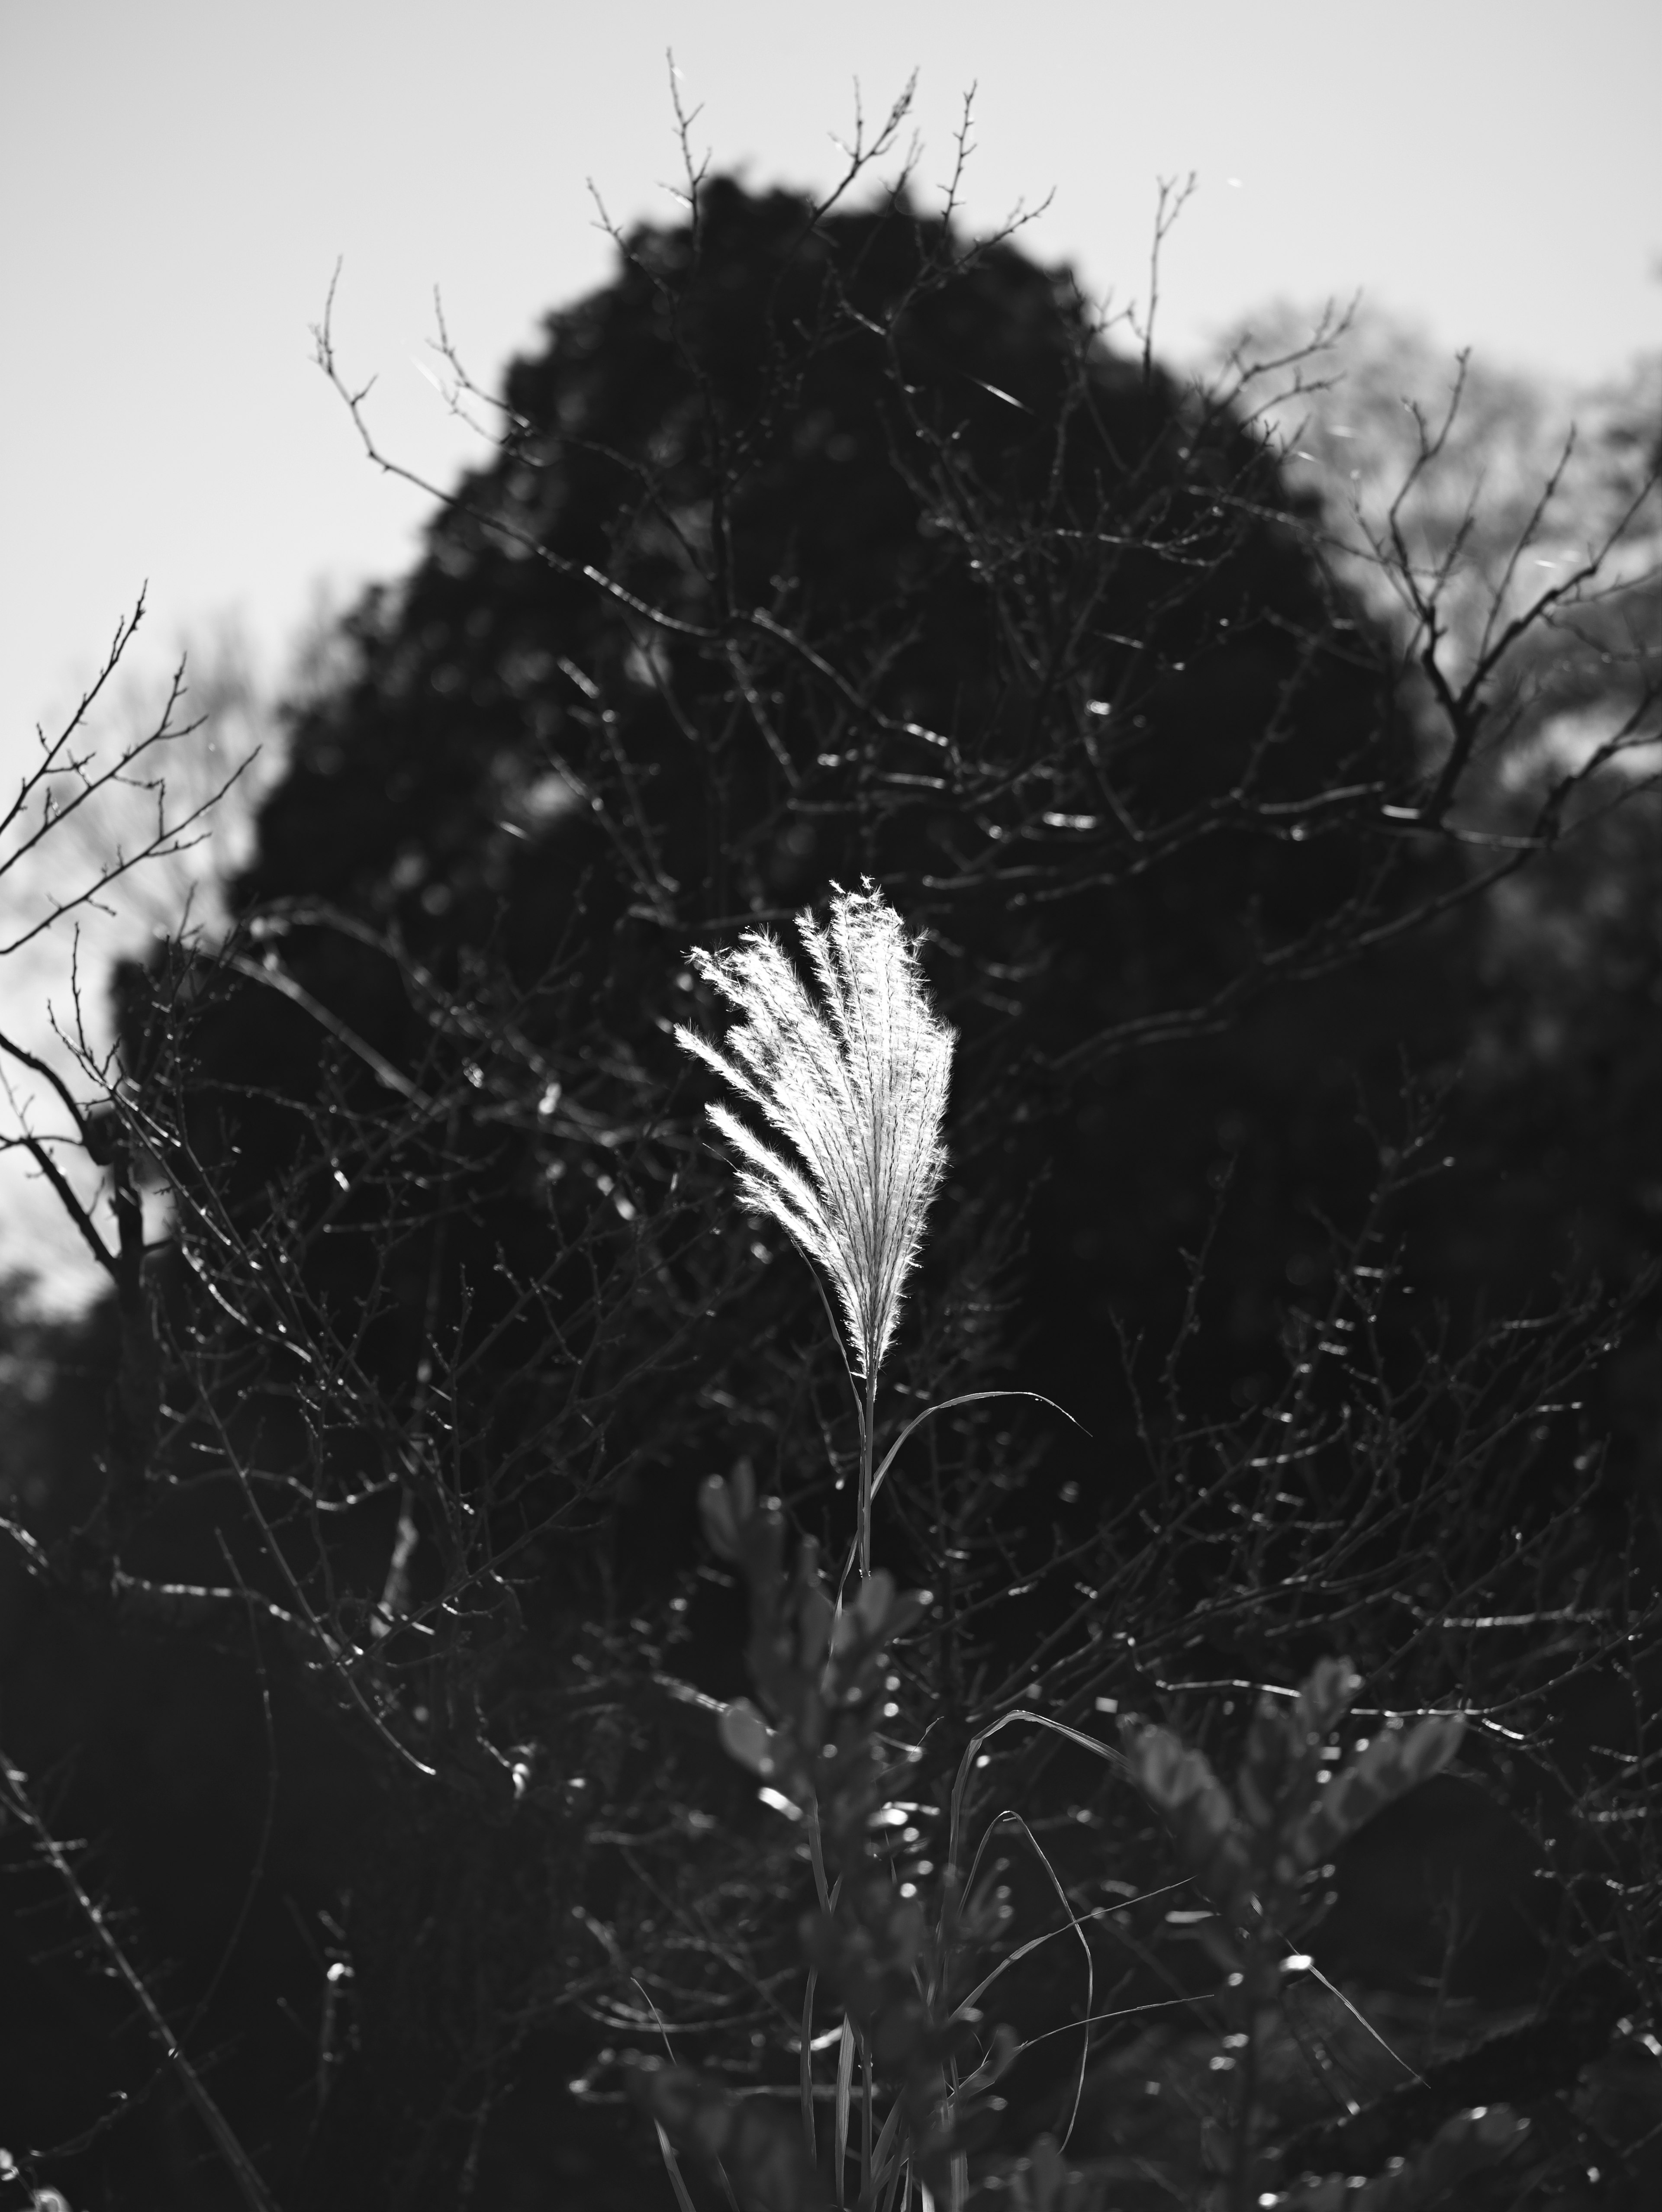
[858, 1085]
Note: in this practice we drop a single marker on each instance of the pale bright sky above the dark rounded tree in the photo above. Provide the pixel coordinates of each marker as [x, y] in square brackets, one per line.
[180, 178]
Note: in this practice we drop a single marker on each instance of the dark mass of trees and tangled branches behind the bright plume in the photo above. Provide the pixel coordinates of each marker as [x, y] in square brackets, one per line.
[357, 1634]
